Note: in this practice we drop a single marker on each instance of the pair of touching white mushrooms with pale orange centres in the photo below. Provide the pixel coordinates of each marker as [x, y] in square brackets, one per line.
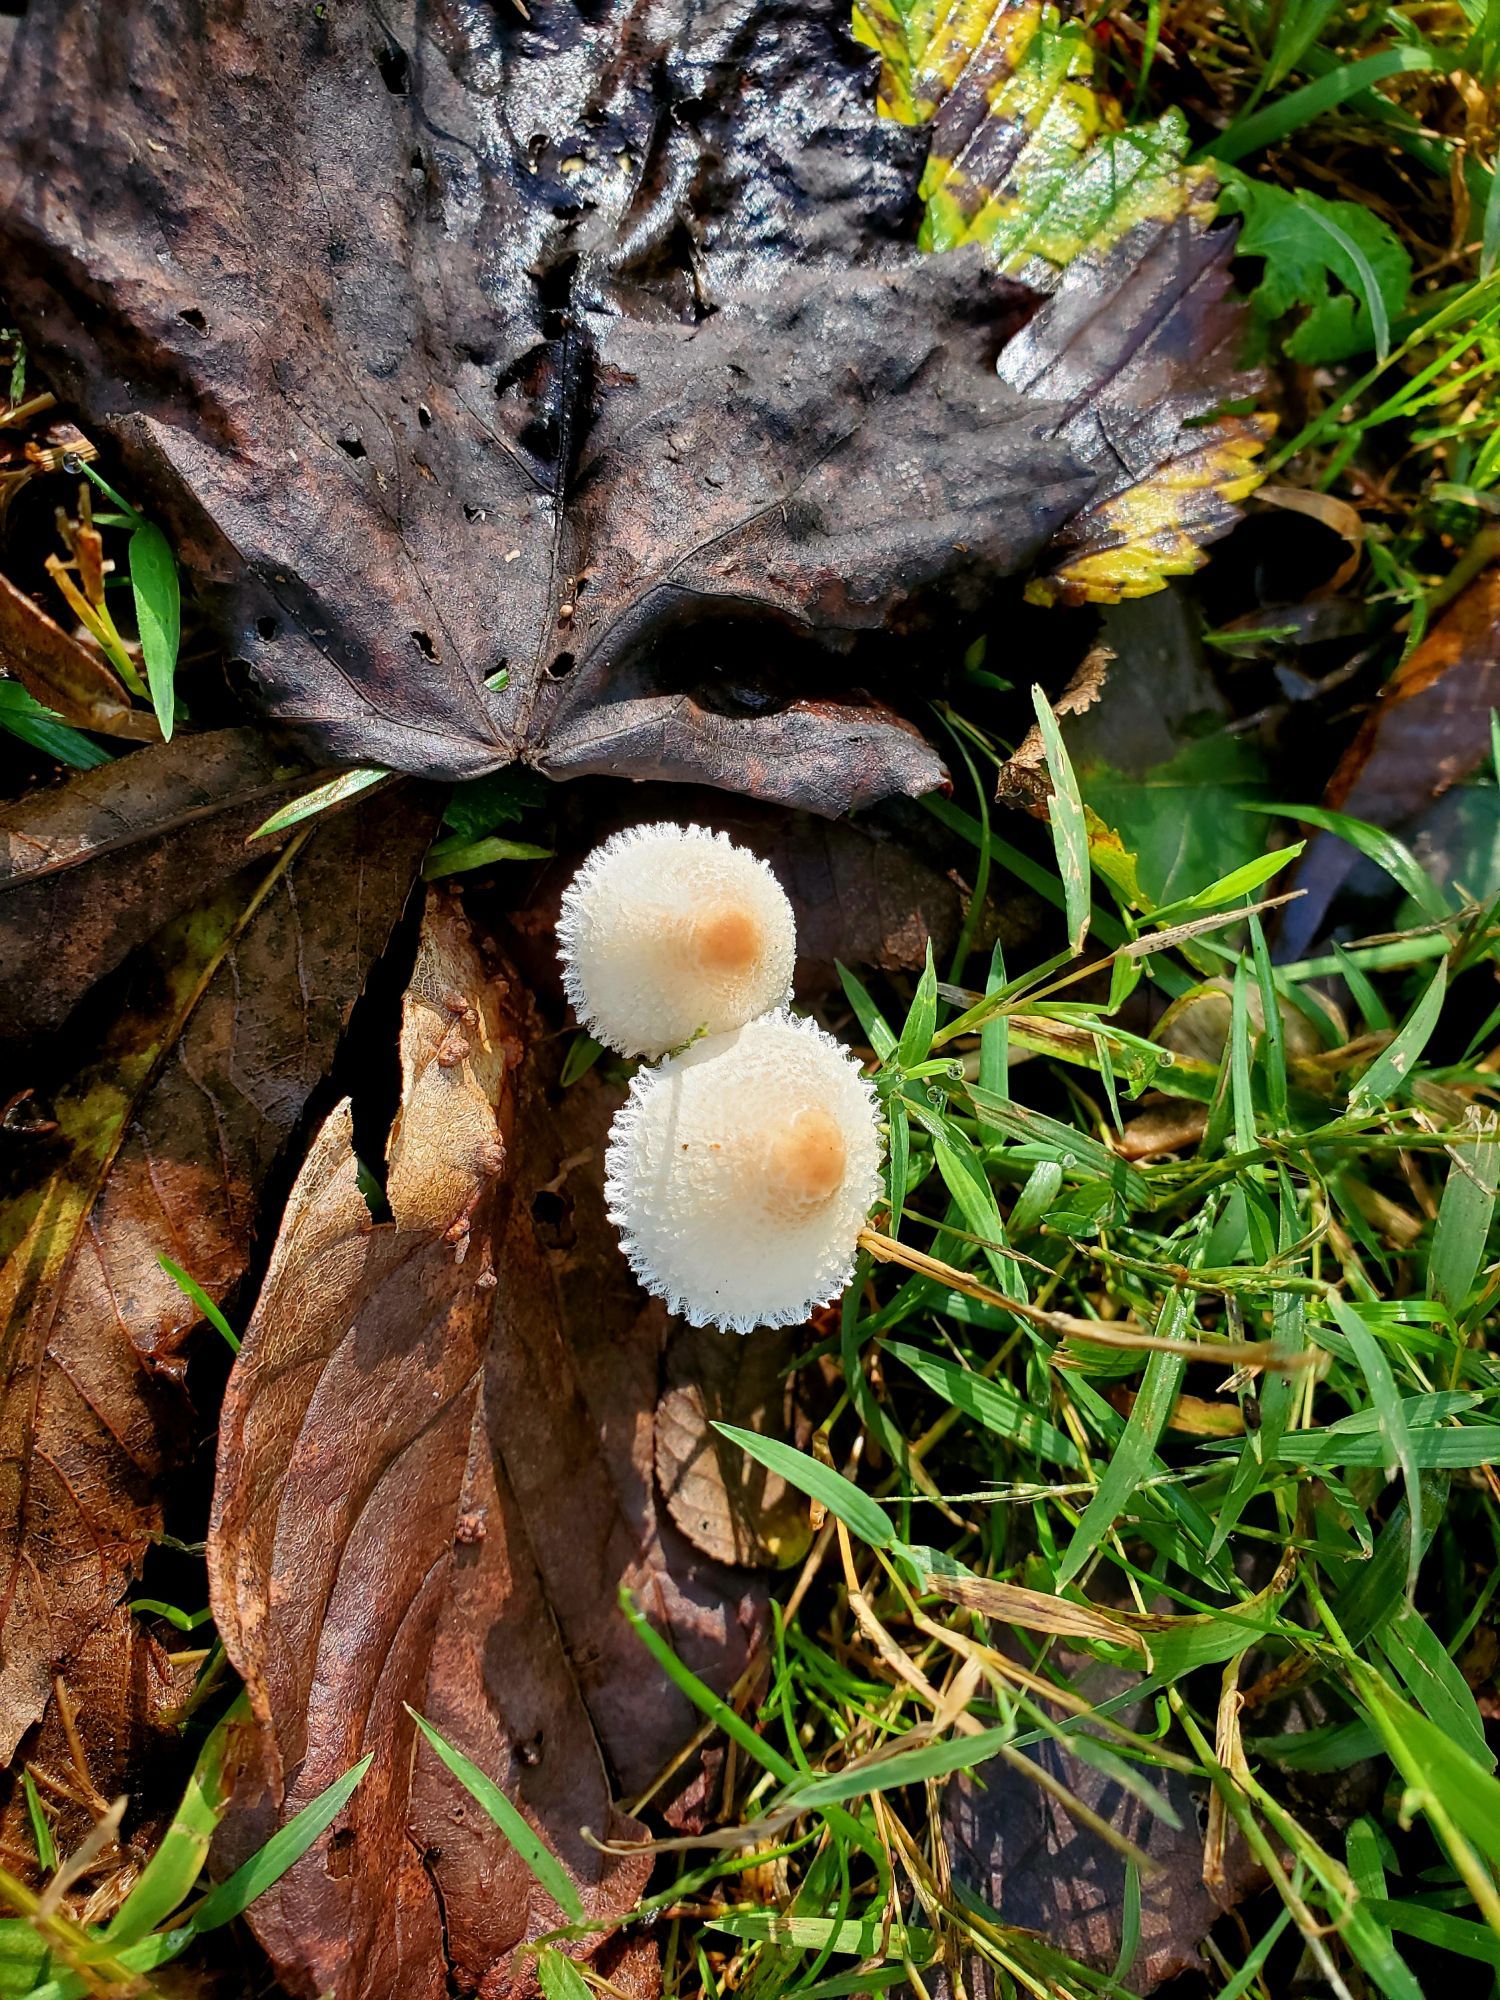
[743, 1167]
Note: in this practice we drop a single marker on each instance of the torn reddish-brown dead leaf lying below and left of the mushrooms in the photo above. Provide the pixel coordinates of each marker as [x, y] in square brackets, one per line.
[487, 1353]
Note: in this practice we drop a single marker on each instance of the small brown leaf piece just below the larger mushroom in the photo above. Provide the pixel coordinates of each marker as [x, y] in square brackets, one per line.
[725, 1503]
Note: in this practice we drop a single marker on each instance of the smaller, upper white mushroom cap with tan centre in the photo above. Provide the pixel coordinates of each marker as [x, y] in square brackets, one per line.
[669, 931]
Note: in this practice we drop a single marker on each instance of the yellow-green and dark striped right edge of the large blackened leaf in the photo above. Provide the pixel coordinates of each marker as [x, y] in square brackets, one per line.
[1037, 167]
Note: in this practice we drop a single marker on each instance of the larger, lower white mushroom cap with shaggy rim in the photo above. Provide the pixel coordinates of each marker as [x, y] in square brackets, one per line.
[741, 1175]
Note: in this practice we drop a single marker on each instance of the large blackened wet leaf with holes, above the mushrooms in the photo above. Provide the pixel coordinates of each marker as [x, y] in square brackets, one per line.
[593, 349]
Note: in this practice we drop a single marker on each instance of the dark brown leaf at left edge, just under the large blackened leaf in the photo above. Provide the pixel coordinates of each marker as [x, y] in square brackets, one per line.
[97, 867]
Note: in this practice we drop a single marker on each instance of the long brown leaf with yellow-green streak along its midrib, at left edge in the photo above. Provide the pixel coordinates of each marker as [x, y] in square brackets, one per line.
[165, 1139]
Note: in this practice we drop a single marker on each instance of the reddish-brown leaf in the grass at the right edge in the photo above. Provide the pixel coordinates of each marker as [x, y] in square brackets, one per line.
[1429, 729]
